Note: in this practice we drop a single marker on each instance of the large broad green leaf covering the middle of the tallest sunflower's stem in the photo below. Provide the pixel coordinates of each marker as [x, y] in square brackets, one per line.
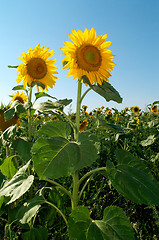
[55, 157]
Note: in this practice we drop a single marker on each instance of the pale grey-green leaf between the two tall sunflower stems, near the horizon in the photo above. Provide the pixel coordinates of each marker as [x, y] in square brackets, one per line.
[49, 106]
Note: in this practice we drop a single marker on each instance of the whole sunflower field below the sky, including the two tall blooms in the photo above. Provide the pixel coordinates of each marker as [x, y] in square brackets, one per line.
[77, 175]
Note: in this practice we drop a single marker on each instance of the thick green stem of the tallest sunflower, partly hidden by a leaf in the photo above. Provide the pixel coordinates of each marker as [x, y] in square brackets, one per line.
[75, 197]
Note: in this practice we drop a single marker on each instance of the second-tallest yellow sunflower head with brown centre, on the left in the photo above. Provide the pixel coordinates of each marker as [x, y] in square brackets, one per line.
[37, 69]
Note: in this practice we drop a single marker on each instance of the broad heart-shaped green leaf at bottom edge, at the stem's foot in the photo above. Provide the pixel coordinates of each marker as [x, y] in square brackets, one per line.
[114, 225]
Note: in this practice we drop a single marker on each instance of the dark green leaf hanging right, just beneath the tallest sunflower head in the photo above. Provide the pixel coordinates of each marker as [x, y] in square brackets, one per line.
[105, 90]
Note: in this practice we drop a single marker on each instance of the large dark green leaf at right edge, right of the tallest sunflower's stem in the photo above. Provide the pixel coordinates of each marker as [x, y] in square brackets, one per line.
[132, 179]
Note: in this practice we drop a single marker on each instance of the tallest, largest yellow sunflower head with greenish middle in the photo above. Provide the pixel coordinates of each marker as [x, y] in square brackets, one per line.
[88, 56]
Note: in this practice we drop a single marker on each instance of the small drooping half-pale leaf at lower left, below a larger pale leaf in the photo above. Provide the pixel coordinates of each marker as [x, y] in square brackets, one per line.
[30, 208]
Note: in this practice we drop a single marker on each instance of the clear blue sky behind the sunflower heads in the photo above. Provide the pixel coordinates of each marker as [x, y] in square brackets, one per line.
[131, 25]
